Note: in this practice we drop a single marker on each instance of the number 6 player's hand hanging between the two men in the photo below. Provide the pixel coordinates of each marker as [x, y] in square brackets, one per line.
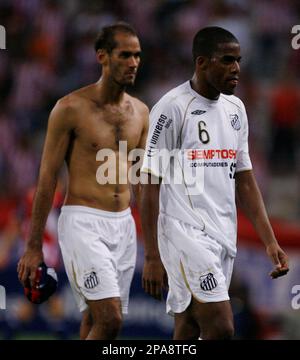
[154, 278]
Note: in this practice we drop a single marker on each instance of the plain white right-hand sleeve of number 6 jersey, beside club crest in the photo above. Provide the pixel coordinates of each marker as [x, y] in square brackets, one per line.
[243, 158]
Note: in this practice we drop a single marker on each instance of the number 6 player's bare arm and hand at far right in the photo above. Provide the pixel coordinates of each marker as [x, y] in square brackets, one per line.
[250, 199]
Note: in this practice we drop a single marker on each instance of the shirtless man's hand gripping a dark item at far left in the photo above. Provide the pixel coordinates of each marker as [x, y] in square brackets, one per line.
[28, 265]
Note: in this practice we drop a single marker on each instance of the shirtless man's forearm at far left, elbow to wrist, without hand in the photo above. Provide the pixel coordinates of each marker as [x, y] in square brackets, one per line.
[41, 207]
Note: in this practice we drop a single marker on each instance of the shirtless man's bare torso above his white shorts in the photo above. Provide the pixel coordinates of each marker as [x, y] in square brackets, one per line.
[100, 126]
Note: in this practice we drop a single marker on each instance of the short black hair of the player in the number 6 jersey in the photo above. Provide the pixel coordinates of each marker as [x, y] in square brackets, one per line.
[206, 40]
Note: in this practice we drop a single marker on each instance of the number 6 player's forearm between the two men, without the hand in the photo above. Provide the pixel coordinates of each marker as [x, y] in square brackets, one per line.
[149, 215]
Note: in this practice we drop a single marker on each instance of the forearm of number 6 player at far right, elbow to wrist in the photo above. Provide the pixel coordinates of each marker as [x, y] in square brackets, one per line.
[251, 201]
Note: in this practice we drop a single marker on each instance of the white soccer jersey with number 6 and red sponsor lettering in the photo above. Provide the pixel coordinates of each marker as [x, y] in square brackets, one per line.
[209, 141]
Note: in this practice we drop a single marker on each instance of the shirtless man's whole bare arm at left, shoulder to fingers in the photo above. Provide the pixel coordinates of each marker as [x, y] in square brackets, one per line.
[55, 147]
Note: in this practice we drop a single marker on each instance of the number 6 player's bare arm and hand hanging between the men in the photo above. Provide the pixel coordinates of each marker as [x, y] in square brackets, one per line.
[154, 275]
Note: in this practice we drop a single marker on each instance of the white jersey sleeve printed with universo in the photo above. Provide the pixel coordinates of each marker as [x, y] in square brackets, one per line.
[162, 138]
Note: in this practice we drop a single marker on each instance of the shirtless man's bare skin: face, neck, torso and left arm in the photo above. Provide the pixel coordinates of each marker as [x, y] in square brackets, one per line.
[87, 120]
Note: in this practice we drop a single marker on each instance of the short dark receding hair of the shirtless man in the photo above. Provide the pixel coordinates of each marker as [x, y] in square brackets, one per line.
[106, 38]
